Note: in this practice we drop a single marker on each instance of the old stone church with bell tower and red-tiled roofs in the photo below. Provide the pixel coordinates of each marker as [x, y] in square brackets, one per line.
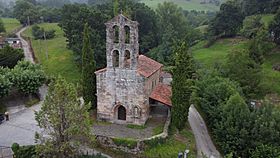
[130, 81]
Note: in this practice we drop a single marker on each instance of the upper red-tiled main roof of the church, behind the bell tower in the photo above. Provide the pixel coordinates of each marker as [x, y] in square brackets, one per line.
[146, 66]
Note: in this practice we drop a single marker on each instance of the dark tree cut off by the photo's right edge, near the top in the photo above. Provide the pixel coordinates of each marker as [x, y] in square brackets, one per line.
[274, 28]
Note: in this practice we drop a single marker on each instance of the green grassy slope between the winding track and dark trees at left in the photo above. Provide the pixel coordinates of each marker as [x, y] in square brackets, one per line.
[60, 59]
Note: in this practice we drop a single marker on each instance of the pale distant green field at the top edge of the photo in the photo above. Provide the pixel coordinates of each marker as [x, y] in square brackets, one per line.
[184, 4]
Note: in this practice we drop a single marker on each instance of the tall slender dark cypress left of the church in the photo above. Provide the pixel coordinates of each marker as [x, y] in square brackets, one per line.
[88, 70]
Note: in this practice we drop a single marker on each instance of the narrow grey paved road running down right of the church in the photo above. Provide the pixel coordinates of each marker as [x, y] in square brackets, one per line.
[204, 144]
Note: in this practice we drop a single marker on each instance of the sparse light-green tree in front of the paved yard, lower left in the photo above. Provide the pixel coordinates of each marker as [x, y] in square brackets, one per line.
[64, 120]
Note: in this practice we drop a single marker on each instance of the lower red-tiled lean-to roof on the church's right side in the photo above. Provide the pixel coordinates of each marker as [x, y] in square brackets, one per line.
[162, 93]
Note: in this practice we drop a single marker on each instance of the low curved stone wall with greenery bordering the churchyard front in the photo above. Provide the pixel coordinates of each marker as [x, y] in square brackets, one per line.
[131, 145]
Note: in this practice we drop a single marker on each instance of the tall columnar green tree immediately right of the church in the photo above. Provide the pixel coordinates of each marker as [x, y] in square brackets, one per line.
[182, 85]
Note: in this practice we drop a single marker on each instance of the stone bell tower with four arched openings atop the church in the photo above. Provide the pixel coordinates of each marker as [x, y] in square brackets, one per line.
[122, 45]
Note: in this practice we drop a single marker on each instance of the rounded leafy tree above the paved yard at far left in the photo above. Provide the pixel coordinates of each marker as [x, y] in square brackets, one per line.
[27, 77]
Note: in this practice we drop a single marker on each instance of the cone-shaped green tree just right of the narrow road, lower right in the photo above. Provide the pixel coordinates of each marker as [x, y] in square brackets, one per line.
[232, 132]
